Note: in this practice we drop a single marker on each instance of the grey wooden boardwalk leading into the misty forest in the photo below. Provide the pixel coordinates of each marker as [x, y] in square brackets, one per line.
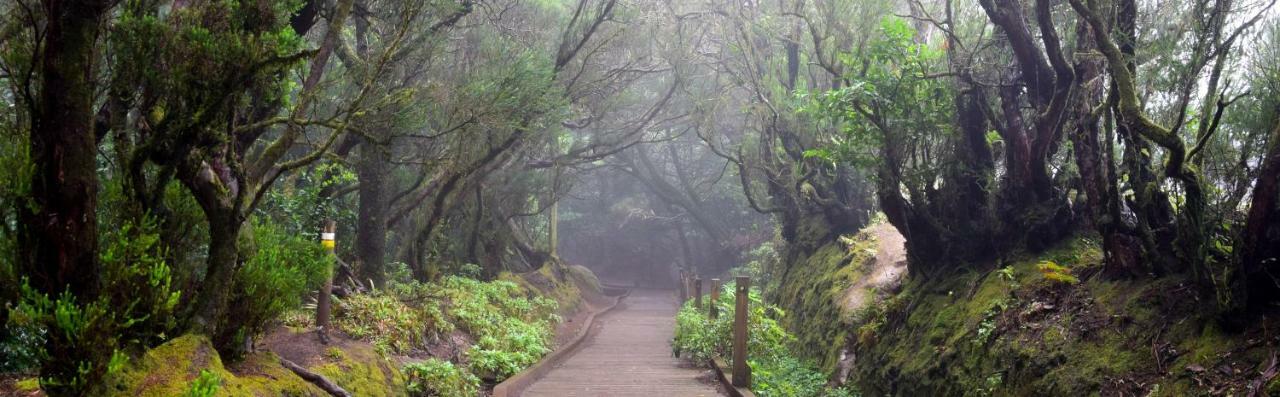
[629, 357]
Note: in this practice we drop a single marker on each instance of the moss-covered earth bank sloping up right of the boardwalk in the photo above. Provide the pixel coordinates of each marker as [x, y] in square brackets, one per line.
[1007, 330]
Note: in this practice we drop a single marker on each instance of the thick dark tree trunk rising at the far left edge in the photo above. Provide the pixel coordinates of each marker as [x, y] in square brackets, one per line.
[61, 240]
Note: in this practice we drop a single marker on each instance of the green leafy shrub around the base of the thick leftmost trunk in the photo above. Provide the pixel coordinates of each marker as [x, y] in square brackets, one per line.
[136, 309]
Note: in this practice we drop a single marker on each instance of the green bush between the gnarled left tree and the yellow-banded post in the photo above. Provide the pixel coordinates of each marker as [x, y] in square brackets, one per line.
[275, 280]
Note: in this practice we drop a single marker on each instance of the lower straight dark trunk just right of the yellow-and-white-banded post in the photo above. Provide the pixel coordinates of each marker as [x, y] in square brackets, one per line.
[372, 222]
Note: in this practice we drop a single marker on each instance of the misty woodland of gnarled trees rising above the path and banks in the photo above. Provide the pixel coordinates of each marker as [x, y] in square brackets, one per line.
[154, 152]
